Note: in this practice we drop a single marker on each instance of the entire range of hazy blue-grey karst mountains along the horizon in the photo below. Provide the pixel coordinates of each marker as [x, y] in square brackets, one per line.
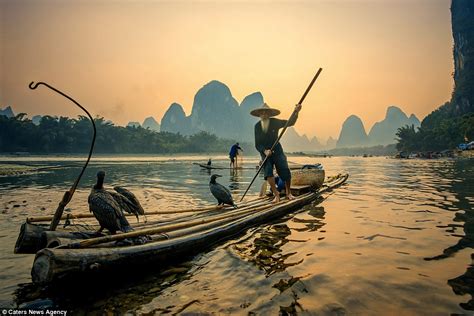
[216, 111]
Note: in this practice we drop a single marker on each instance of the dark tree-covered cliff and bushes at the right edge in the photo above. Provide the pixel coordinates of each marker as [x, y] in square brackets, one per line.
[453, 122]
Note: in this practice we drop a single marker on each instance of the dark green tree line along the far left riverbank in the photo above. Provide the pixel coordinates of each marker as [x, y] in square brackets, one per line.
[70, 135]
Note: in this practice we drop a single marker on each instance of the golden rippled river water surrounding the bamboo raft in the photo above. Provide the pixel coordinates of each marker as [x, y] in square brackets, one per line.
[396, 240]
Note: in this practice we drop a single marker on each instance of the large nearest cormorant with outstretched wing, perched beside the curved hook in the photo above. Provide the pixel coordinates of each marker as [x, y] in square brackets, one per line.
[108, 207]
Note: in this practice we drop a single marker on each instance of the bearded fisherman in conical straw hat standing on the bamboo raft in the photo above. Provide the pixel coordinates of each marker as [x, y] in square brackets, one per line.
[266, 134]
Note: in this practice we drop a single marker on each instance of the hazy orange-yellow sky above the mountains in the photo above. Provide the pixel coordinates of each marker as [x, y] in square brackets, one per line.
[126, 60]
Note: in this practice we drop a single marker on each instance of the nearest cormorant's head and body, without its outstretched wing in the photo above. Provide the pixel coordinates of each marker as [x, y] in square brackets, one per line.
[106, 209]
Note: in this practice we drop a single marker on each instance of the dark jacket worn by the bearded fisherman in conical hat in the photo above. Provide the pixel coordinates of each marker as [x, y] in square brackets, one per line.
[265, 140]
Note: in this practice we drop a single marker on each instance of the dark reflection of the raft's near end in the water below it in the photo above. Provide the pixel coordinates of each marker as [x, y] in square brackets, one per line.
[116, 292]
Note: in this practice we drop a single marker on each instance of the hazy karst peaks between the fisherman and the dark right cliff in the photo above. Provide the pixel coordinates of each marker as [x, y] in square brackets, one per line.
[382, 133]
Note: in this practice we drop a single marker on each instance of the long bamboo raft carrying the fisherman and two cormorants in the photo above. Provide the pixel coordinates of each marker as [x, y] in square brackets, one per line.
[74, 250]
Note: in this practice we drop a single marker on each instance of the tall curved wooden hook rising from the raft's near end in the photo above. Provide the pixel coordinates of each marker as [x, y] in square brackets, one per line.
[68, 195]
